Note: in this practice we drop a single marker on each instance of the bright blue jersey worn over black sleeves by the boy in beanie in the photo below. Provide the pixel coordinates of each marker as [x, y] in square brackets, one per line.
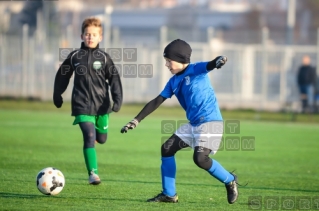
[195, 93]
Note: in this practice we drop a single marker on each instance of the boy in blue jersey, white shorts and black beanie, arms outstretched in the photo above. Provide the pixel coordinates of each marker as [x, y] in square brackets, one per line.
[192, 87]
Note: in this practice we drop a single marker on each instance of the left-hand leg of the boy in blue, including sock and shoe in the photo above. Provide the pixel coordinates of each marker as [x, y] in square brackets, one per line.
[168, 169]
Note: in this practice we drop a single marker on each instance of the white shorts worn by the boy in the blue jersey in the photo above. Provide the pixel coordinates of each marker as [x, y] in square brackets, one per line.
[207, 135]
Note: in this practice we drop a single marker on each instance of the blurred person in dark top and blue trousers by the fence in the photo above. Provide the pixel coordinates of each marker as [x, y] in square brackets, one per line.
[306, 80]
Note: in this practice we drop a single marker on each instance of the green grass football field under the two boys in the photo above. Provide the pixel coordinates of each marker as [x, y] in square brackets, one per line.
[283, 164]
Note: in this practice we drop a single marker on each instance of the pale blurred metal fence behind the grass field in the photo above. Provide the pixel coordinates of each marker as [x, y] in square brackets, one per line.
[261, 76]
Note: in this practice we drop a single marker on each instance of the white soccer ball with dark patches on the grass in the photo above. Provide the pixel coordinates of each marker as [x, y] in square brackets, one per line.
[50, 181]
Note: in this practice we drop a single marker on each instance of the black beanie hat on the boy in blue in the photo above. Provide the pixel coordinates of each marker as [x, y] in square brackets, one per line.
[179, 51]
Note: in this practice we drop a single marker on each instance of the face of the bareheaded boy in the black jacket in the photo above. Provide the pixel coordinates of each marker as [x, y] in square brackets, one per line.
[91, 36]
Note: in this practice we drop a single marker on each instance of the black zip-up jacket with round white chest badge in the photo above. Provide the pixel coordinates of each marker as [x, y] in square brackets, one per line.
[94, 75]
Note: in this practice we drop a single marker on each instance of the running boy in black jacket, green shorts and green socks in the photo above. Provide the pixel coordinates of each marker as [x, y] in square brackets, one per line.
[94, 74]
